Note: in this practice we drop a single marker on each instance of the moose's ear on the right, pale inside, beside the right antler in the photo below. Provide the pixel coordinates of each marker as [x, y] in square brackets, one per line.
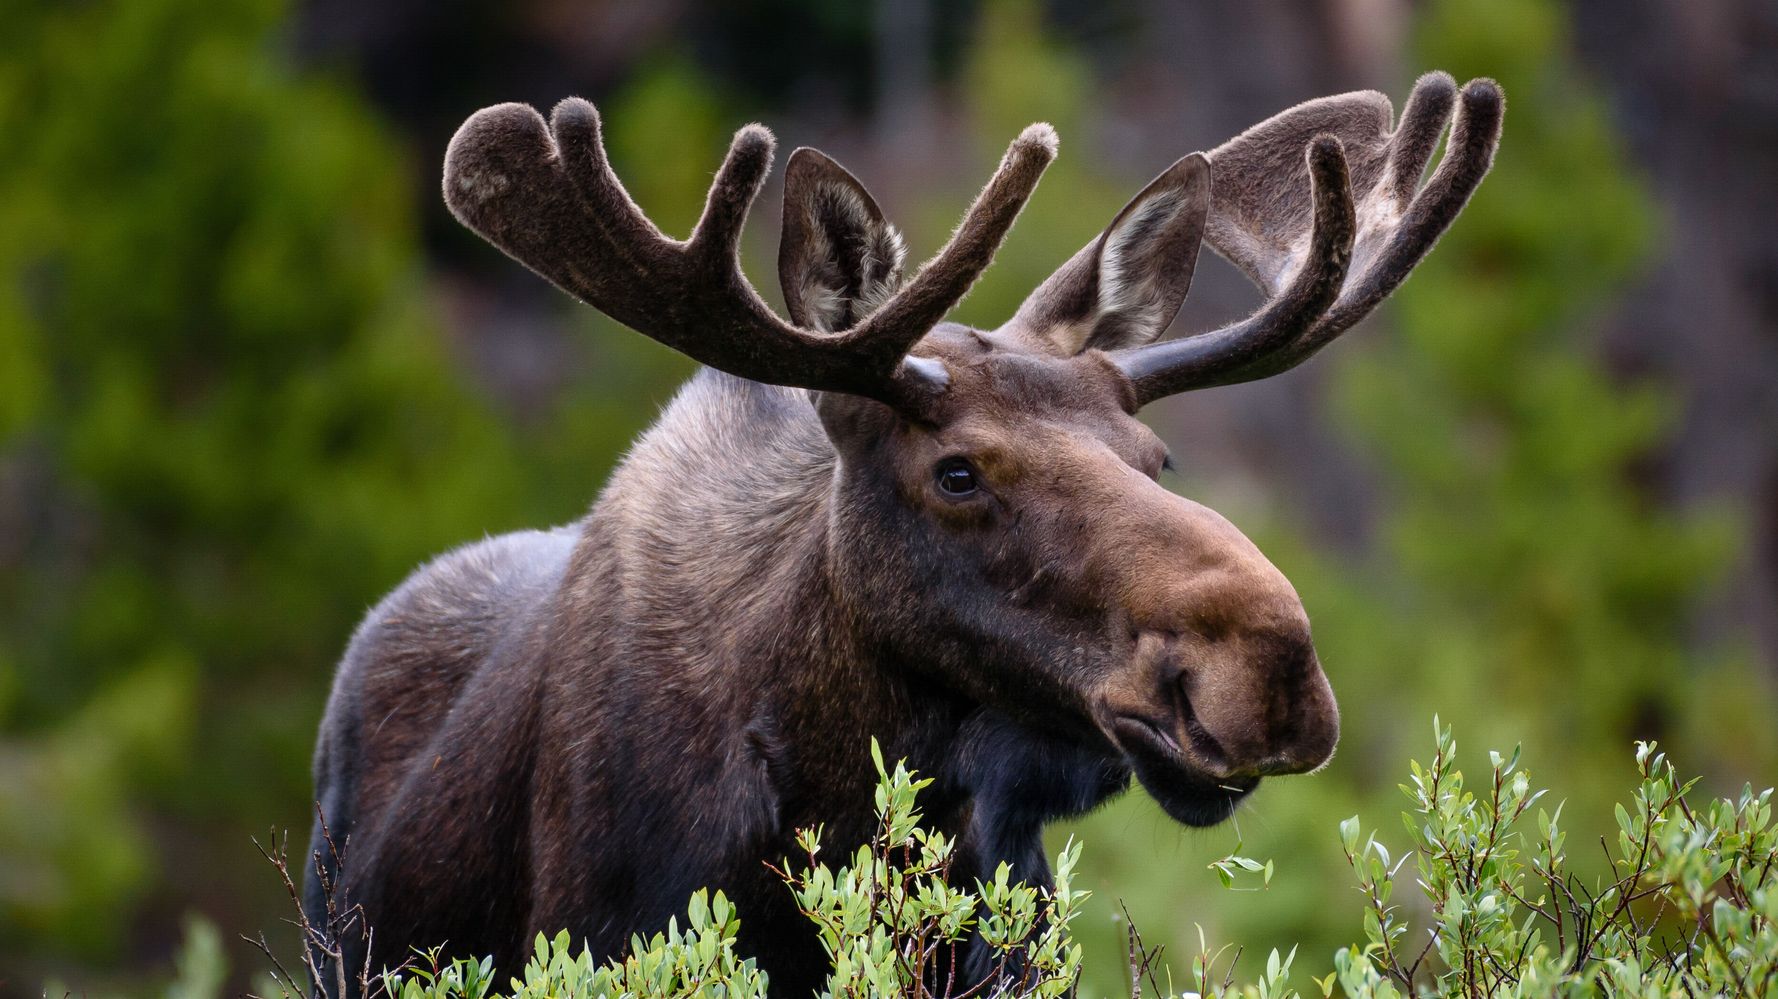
[1126, 287]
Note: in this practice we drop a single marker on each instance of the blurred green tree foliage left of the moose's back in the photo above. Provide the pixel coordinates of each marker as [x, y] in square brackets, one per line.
[228, 424]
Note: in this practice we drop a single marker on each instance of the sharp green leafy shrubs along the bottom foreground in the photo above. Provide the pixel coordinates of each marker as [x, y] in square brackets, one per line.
[1493, 911]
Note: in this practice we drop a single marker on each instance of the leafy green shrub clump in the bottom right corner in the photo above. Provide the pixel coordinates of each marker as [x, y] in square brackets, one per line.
[1688, 909]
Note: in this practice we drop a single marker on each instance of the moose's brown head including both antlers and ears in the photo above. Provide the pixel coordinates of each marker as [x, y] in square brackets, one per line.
[993, 516]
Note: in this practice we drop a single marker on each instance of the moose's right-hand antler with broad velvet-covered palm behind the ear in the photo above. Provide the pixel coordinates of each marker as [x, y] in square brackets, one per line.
[1299, 243]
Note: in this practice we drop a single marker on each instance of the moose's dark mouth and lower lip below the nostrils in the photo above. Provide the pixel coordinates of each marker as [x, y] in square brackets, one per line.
[1174, 779]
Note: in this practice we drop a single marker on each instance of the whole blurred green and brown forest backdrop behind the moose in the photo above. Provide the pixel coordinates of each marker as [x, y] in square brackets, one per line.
[252, 374]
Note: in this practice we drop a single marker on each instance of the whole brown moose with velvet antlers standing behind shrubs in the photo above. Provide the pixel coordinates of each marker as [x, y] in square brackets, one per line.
[860, 522]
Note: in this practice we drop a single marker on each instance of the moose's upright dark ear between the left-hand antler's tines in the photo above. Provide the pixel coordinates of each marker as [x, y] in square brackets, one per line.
[838, 259]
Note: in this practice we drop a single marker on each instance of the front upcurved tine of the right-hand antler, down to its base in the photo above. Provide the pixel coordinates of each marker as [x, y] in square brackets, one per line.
[1197, 362]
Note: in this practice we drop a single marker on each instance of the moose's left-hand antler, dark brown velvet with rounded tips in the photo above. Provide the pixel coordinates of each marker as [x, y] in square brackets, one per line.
[549, 198]
